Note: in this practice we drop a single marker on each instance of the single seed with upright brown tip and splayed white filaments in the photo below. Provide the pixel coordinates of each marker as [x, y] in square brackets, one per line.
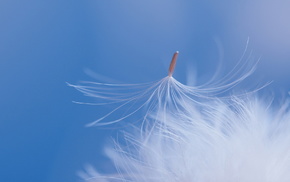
[167, 92]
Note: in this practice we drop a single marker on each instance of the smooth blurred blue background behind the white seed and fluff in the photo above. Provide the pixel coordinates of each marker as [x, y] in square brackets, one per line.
[44, 44]
